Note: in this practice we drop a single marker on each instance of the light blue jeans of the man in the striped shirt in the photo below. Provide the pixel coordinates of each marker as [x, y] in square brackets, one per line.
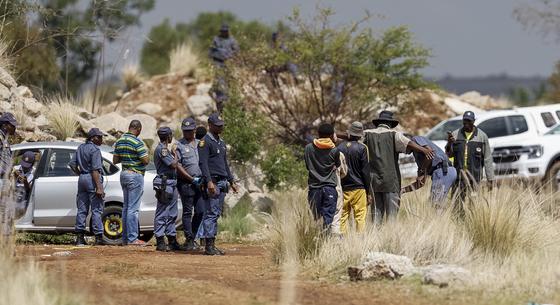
[133, 187]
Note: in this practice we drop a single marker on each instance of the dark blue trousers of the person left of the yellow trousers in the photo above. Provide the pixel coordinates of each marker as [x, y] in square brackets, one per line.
[323, 203]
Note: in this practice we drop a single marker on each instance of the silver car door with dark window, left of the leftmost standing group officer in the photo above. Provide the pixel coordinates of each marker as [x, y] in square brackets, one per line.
[55, 191]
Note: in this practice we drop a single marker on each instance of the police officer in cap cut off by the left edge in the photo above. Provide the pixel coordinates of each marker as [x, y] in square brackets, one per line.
[8, 124]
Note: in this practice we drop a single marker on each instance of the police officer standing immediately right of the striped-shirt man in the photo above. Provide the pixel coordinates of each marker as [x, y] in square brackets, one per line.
[165, 185]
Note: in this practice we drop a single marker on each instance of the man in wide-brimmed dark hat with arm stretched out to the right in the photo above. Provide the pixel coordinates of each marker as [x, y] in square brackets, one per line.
[384, 145]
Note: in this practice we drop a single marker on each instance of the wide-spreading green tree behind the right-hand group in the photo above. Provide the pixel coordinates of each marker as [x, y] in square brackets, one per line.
[346, 73]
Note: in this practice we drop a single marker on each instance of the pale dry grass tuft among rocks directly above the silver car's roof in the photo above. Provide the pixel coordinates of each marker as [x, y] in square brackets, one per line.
[62, 116]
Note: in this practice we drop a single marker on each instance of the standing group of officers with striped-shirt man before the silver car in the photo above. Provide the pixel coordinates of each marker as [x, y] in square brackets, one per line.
[195, 168]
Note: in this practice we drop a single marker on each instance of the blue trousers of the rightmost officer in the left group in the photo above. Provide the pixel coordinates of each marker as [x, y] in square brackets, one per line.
[209, 226]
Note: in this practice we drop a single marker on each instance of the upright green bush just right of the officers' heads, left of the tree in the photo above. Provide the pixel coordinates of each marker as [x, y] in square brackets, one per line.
[244, 130]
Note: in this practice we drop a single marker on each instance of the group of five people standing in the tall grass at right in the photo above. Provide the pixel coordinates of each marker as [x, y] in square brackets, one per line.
[372, 174]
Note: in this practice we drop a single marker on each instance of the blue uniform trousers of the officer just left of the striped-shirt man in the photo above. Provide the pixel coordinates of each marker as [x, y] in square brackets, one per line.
[85, 199]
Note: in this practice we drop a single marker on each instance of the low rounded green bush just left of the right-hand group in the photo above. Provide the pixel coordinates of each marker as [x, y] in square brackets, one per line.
[283, 168]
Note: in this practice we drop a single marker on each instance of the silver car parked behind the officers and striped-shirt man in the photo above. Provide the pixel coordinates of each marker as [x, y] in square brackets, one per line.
[52, 206]
